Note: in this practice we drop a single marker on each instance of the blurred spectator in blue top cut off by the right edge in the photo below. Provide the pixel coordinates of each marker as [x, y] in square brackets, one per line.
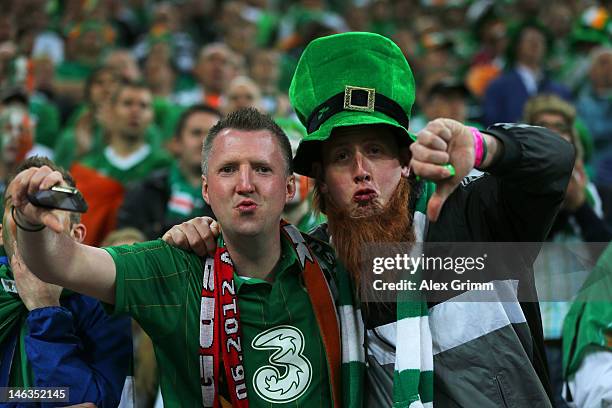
[595, 108]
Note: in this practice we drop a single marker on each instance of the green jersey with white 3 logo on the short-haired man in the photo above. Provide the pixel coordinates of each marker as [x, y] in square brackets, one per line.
[160, 286]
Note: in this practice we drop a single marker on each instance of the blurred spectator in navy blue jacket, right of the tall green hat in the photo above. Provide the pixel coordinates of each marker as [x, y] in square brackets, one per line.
[505, 97]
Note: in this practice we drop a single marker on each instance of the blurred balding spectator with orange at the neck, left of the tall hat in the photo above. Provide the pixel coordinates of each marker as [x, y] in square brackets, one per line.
[217, 65]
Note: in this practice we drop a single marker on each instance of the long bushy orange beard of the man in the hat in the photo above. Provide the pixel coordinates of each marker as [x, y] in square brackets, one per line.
[352, 230]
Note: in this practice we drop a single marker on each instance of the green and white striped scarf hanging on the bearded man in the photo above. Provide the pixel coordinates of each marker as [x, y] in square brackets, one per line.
[413, 373]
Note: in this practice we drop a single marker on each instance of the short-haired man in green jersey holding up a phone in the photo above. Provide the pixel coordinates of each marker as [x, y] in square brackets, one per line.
[258, 326]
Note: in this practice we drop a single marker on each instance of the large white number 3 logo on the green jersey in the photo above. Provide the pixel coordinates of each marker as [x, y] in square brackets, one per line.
[289, 383]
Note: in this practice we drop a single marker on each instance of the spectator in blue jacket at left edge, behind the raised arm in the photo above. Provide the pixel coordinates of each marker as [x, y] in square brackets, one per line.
[51, 337]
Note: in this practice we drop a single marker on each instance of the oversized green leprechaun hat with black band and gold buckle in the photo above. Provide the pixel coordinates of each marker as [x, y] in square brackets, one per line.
[350, 79]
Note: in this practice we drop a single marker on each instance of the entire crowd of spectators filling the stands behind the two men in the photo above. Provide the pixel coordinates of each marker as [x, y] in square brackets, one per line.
[122, 92]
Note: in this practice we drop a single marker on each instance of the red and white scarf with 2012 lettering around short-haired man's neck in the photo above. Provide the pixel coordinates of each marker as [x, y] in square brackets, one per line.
[220, 338]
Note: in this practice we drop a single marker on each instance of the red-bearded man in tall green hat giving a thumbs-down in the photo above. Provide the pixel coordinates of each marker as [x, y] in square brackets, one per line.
[354, 92]
